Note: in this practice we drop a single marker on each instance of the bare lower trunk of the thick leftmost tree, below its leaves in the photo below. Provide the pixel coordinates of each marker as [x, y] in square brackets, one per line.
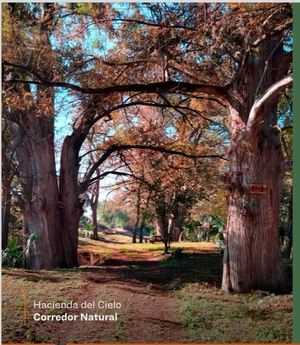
[35, 152]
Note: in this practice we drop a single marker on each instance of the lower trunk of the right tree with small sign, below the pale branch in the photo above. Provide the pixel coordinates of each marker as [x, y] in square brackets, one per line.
[252, 258]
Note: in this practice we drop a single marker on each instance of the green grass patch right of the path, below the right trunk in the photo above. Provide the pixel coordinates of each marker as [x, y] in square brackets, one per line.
[210, 315]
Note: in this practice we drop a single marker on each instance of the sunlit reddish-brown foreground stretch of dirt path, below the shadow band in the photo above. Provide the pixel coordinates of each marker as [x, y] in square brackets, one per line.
[145, 316]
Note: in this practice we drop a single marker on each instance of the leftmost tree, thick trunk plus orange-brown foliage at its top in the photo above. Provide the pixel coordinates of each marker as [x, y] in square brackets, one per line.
[32, 128]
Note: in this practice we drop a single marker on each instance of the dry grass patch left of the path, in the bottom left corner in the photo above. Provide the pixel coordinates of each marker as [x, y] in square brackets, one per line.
[46, 286]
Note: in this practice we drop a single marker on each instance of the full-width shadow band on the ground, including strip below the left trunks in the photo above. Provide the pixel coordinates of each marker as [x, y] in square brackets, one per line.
[166, 274]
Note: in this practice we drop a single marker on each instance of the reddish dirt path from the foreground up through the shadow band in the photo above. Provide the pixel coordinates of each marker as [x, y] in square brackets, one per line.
[148, 312]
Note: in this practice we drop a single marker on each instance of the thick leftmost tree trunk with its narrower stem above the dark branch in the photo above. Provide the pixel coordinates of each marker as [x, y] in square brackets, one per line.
[33, 129]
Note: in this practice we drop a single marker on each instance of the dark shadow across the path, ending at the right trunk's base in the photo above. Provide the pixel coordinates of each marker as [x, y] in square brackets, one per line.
[166, 274]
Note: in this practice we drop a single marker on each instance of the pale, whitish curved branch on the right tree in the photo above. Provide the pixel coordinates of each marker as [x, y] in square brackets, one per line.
[268, 97]
